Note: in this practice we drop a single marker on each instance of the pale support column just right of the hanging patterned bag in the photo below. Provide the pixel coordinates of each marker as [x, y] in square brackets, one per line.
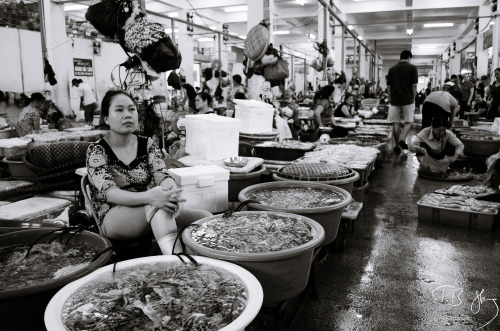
[186, 47]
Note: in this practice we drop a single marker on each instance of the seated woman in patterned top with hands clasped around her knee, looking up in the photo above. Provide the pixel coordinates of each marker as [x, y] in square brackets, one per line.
[132, 192]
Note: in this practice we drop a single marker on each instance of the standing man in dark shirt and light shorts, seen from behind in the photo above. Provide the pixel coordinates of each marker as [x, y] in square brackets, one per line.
[402, 82]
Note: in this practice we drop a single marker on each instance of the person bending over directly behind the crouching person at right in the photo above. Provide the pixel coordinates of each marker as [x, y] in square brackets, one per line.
[439, 103]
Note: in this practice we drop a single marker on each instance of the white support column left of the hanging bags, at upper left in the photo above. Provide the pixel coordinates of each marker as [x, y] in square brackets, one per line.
[57, 50]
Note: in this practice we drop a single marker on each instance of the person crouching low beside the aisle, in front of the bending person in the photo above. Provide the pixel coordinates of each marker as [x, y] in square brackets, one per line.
[436, 147]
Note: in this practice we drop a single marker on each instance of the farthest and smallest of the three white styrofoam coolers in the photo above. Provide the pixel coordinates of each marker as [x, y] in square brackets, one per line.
[256, 116]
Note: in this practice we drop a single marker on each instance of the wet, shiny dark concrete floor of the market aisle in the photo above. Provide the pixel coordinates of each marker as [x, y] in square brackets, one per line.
[397, 273]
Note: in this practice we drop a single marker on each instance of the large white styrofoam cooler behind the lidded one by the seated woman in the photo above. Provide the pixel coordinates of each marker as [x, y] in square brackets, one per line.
[212, 137]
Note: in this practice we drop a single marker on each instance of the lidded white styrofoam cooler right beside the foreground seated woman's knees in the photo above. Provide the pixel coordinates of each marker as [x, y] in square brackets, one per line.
[204, 187]
